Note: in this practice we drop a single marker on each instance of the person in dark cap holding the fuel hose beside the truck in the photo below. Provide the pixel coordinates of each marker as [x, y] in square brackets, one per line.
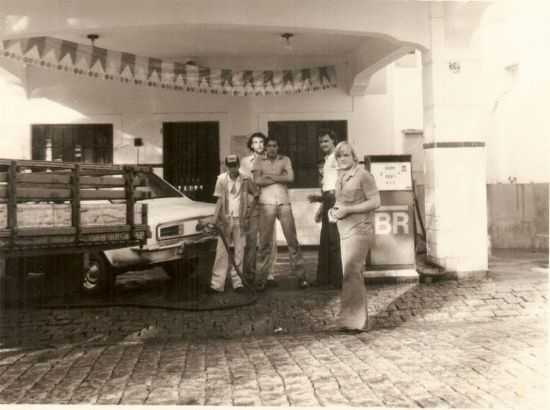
[235, 193]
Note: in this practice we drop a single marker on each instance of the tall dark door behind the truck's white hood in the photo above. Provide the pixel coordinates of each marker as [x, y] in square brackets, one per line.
[191, 153]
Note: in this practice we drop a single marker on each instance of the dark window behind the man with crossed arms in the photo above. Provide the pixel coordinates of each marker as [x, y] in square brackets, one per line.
[298, 140]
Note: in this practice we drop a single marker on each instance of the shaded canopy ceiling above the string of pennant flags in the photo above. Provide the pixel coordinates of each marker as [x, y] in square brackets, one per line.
[177, 42]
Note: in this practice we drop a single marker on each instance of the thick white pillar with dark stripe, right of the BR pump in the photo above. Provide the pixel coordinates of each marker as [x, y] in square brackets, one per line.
[454, 147]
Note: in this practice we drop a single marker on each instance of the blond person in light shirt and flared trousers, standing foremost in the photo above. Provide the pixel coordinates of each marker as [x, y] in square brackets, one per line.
[356, 199]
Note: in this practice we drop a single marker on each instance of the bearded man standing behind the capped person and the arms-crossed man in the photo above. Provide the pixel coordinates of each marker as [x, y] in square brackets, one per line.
[256, 145]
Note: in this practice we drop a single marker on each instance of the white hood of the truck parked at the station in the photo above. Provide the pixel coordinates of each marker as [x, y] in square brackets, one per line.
[162, 210]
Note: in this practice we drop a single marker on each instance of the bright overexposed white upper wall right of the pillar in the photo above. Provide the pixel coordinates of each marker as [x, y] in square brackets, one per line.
[516, 54]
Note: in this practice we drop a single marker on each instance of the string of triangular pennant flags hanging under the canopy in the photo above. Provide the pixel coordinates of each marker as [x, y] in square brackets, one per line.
[102, 63]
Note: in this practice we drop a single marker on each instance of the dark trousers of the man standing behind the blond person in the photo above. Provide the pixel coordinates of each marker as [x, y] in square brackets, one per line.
[329, 268]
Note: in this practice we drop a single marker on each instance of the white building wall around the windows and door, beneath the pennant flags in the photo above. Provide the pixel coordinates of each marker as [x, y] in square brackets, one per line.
[34, 95]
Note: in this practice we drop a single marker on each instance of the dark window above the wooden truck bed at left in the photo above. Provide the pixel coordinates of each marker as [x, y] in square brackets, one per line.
[90, 143]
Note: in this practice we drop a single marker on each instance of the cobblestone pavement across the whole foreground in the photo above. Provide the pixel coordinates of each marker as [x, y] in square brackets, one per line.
[448, 344]
